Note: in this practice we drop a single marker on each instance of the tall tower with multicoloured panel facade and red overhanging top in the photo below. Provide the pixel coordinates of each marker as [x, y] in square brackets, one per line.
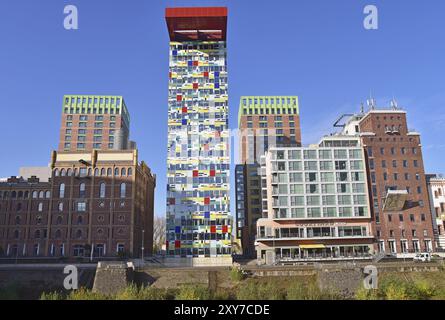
[198, 217]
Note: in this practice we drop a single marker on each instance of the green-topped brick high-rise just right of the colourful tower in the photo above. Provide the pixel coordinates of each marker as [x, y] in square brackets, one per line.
[264, 122]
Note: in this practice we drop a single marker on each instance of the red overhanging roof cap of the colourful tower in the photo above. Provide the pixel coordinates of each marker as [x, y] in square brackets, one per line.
[197, 23]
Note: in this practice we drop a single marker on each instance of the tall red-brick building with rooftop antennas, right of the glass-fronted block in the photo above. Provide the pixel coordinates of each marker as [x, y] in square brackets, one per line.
[401, 211]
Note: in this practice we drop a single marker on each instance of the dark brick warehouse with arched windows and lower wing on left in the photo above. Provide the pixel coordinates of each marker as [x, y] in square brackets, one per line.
[101, 200]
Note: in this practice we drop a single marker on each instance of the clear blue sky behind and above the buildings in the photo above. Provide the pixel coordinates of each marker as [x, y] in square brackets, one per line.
[316, 49]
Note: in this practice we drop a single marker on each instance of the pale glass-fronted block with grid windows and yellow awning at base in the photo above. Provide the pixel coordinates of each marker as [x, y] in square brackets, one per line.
[316, 203]
